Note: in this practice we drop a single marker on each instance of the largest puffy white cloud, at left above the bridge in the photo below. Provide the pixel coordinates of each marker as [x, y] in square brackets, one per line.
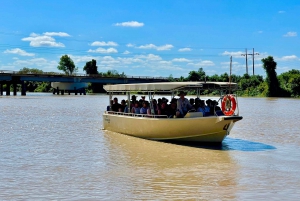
[45, 40]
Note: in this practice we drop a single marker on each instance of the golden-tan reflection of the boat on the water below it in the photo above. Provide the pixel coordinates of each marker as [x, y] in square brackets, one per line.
[171, 171]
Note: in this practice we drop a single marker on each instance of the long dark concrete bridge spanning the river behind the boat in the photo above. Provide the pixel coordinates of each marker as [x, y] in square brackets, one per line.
[15, 77]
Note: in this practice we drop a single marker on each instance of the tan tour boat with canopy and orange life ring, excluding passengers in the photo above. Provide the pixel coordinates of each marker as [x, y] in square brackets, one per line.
[194, 126]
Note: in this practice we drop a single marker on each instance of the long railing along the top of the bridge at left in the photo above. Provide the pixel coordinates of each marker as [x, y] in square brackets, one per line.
[78, 75]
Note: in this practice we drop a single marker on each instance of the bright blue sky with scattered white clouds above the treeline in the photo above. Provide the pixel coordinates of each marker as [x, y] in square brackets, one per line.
[150, 38]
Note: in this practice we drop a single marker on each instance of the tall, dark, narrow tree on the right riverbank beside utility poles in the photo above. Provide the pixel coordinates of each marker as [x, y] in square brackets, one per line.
[273, 85]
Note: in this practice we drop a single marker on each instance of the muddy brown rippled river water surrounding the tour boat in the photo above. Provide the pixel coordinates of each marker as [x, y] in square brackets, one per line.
[52, 148]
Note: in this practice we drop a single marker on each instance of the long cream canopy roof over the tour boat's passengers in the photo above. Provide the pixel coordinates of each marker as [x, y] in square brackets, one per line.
[170, 86]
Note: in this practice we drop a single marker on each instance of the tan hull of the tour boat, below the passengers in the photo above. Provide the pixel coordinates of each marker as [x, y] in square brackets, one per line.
[201, 129]
